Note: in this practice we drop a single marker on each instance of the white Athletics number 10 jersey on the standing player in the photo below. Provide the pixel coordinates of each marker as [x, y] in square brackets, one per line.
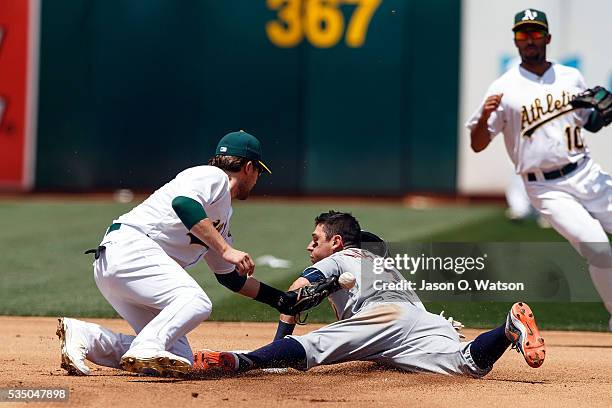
[535, 114]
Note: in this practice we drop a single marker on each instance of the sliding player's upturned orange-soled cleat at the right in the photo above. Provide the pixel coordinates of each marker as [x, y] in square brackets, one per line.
[522, 331]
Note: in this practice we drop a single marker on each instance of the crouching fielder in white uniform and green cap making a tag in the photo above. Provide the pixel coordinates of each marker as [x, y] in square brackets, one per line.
[140, 266]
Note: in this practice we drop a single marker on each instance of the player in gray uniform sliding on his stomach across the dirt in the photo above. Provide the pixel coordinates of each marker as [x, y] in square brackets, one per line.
[378, 324]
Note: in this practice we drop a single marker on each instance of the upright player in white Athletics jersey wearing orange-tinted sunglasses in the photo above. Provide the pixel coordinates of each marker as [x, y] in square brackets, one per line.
[530, 104]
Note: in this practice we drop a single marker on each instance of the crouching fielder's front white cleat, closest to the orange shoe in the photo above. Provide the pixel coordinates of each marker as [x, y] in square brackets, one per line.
[155, 362]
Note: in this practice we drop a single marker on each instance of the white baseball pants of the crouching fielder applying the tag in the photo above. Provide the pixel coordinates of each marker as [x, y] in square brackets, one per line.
[157, 297]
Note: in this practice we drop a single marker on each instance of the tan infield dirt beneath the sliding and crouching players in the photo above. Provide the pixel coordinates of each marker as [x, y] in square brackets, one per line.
[577, 372]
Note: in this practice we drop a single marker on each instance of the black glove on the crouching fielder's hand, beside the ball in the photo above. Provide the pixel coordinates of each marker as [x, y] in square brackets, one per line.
[297, 301]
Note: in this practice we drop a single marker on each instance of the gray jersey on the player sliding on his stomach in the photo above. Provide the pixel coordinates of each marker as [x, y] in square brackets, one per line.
[367, 290]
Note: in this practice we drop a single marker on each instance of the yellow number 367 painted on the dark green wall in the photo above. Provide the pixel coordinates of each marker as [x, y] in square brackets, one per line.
[320, 21]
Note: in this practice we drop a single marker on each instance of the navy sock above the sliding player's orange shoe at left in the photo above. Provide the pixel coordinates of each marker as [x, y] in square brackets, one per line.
[285, 352]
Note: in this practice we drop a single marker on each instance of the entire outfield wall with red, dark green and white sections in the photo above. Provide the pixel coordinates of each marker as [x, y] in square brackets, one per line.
[349, 97]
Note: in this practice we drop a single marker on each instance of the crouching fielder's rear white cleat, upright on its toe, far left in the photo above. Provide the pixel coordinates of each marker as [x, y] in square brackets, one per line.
[72, 347]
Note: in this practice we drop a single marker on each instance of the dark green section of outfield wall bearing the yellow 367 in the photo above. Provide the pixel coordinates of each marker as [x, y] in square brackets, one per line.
[131, 92]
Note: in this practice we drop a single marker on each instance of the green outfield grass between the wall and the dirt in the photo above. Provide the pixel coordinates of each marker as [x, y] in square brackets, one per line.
[43, 270]
